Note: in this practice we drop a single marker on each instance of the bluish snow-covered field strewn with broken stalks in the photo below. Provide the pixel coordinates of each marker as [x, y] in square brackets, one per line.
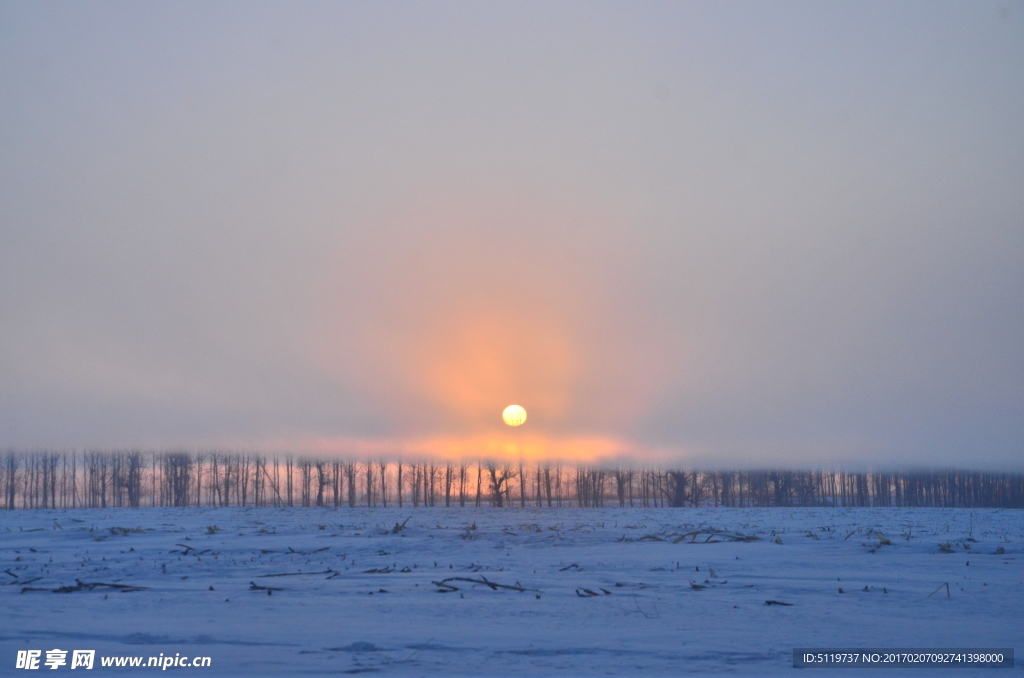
[676, 591]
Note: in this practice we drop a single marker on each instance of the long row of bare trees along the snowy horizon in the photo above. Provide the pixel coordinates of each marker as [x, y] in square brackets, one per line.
[101, 480]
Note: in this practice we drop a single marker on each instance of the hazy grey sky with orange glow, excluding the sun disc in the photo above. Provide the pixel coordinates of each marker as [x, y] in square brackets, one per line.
[724, 234]
